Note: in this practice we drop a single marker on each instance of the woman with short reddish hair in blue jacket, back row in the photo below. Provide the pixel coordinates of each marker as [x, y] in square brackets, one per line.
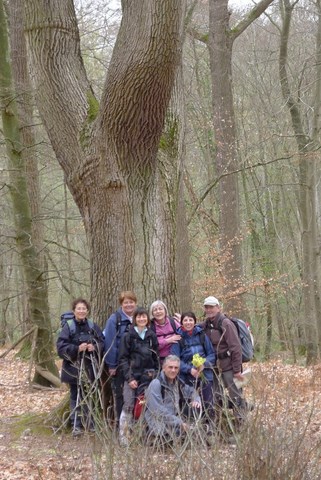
[116, 327]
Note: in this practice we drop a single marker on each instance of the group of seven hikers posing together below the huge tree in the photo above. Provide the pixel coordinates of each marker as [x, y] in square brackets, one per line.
[182, 366]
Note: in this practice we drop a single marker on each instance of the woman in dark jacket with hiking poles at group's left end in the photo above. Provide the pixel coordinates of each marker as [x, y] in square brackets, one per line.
[80, 345]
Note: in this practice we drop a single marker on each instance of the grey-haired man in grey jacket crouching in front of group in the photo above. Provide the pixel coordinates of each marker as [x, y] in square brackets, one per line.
[170, 402]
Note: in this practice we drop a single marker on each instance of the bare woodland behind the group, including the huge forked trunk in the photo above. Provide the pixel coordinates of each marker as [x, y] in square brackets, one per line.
[171, 148]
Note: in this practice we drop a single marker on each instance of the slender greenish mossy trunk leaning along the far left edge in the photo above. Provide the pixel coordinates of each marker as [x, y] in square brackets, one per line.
[34, 276]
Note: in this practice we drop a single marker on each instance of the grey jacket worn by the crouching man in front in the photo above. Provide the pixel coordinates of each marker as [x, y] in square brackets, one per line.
[163, 409]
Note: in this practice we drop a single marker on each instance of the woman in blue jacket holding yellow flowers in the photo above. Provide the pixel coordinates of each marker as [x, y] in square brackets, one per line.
[194, 341]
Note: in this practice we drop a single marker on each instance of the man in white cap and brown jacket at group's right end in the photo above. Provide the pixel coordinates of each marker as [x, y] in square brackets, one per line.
[224, 337]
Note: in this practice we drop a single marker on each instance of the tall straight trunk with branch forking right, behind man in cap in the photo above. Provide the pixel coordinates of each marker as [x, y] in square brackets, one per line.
[220, 44]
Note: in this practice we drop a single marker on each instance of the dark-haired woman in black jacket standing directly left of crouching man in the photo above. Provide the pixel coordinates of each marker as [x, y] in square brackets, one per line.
[139, 362]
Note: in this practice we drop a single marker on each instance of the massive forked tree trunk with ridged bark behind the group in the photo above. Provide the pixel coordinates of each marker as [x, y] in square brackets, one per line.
[109, 151]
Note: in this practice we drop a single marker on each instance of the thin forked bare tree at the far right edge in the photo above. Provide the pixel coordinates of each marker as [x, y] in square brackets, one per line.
[308, 147]
